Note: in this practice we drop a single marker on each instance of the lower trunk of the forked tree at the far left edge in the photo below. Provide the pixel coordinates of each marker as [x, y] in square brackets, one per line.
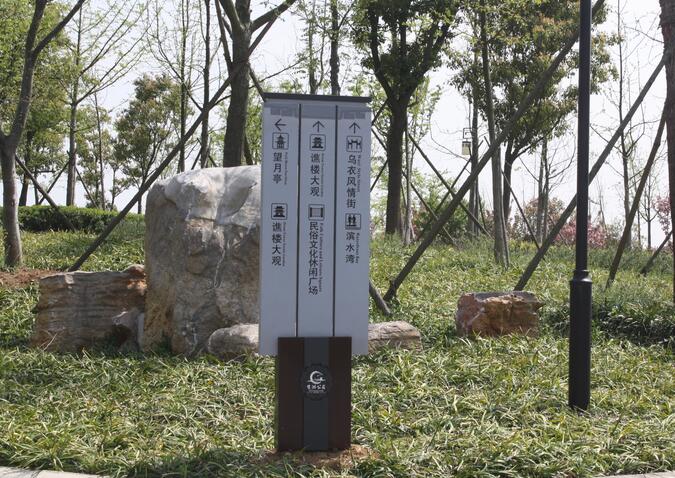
[10, 212]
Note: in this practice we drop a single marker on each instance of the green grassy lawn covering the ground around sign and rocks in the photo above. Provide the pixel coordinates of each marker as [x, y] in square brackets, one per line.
[469, 408]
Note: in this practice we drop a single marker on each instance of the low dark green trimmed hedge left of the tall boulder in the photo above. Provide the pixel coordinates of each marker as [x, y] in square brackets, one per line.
[45, 218]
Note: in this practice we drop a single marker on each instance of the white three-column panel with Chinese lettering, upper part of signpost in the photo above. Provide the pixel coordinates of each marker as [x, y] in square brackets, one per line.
[315, 219]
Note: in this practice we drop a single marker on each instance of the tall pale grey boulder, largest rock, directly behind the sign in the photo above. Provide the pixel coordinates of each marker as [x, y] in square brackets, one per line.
[201, 256]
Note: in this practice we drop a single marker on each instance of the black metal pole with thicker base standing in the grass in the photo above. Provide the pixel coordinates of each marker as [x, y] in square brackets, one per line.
[581, 285]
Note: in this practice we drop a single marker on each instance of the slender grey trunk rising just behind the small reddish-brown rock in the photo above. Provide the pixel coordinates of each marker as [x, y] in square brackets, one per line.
[500, 243]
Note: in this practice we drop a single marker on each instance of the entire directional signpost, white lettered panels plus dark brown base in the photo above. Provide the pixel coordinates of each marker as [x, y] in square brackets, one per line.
[314, 252]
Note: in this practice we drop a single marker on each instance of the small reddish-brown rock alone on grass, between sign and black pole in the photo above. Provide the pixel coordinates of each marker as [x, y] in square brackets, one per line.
[492, 314]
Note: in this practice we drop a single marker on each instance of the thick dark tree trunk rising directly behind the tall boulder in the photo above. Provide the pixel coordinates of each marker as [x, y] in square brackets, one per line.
[237, 111]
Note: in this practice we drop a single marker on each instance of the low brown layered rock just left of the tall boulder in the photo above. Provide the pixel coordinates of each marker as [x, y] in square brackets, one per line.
[77, 310]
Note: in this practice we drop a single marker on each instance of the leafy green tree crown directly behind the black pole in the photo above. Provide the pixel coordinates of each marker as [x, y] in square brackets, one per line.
[523, 38]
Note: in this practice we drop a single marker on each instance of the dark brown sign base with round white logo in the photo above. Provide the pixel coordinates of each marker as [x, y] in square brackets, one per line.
[313, 393]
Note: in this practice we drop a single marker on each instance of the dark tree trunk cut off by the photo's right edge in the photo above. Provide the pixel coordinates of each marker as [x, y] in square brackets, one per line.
[668, 31]
